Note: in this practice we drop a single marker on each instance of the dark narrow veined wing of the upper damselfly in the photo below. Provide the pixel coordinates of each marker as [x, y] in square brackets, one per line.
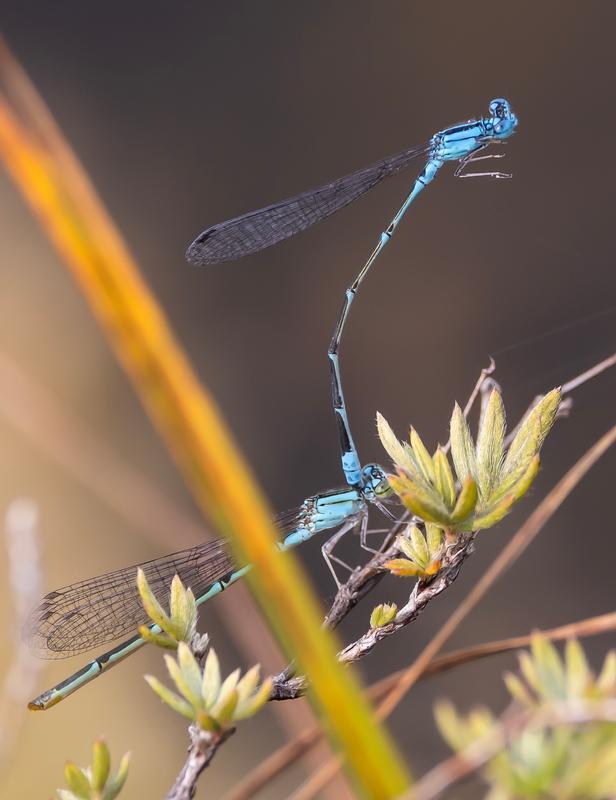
[256, 230]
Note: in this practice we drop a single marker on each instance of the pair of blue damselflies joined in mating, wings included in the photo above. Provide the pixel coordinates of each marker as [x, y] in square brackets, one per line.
[92, 612]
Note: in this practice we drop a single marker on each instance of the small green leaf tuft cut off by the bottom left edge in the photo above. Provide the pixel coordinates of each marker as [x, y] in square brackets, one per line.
[94, 782]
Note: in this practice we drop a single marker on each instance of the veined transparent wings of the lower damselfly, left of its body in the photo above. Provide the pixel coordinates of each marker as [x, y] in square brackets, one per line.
[92, 612]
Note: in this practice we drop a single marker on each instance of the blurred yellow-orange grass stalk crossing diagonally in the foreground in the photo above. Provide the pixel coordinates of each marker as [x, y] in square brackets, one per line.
[49, 176]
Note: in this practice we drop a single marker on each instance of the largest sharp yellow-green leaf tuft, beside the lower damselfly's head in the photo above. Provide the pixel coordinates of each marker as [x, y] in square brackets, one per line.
[490, 478]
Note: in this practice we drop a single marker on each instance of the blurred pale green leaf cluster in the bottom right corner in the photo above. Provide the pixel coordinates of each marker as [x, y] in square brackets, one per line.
[547, 760]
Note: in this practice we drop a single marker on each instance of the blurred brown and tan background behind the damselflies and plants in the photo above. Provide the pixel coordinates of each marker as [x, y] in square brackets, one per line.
[188, 113]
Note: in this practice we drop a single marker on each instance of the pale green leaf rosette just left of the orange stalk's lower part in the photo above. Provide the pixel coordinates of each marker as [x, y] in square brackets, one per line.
[204, 698]
